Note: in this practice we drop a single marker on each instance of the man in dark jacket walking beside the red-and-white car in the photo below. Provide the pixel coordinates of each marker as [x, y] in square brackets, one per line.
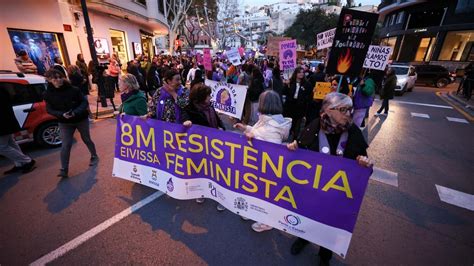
[69, 106]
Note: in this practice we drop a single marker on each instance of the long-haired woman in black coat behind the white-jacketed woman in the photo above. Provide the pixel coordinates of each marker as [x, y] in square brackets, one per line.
[297, 93]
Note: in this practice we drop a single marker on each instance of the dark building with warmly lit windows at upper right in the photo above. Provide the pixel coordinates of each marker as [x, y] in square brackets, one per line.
[432, 32]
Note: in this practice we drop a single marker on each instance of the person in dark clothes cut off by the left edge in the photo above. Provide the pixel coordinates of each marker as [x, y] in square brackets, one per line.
[8, 146]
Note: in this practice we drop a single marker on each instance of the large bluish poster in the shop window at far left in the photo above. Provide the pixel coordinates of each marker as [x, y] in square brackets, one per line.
[42, 47]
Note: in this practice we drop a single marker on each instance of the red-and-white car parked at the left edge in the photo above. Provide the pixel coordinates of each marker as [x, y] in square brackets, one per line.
[26, 92]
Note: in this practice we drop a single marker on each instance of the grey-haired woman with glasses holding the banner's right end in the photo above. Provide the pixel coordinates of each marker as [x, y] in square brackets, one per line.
[333, 133]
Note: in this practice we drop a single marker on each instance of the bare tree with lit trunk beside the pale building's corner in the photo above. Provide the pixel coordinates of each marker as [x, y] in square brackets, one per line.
[175, 13]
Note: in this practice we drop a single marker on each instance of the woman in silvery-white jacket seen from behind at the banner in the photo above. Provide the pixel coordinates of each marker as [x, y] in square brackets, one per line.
[271, 126]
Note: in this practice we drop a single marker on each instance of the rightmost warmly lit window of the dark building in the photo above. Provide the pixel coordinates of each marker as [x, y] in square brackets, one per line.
[458, 46]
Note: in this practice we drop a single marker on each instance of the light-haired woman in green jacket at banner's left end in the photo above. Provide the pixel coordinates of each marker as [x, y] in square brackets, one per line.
[133, 100]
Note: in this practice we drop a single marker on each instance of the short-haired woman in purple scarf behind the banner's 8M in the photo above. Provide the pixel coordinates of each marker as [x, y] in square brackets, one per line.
[169, 101]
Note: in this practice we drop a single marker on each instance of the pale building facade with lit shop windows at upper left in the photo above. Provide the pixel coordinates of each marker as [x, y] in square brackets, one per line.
[50, 28]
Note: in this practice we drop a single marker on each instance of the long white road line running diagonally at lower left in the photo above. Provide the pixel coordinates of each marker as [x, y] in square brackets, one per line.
[95, 231]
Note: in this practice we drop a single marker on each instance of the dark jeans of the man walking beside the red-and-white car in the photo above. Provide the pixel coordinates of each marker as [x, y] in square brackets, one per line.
[67, 134]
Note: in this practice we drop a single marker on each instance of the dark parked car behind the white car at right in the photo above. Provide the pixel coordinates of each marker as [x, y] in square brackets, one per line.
[433, 75]
